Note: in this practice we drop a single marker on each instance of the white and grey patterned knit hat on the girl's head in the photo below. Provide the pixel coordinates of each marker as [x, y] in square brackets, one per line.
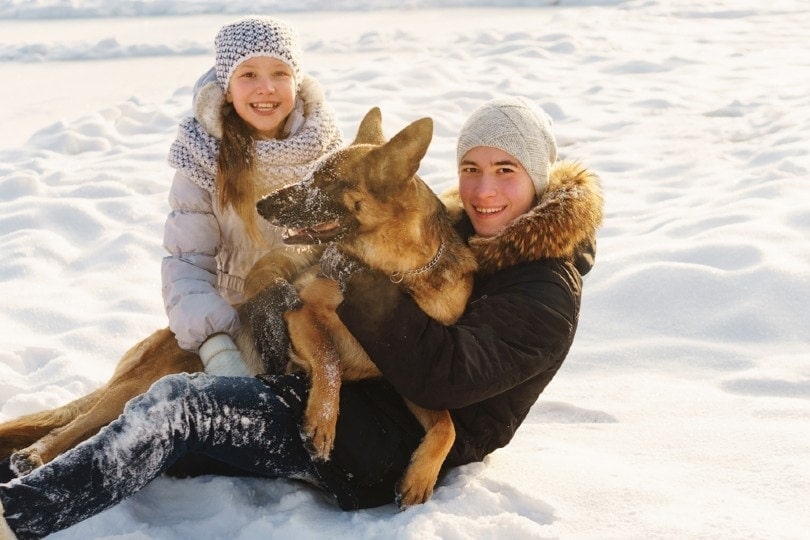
[252, 37]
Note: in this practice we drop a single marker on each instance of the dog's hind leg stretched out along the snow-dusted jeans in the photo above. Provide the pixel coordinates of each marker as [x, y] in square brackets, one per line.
[143, 364]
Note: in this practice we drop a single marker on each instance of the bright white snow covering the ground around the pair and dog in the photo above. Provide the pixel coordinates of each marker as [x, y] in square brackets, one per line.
[683, 410]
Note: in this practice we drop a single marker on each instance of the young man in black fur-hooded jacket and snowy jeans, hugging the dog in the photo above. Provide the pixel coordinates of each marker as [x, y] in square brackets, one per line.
[532, 224]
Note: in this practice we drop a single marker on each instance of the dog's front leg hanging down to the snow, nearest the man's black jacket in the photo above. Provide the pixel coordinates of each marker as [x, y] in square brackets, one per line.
[416, 485]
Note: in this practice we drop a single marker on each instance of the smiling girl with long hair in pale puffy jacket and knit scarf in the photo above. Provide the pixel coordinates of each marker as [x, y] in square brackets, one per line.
[259, 124]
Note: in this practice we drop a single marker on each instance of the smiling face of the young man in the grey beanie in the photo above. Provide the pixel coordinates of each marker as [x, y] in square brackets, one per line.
[494, 189]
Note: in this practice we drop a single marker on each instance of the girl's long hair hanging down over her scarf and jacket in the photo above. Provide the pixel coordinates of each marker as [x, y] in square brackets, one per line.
[236, 170]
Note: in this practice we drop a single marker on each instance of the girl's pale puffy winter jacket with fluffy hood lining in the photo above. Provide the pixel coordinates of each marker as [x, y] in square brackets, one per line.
[210, 252]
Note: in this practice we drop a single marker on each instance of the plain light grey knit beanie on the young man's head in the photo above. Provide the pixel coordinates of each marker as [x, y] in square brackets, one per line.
[518, 127]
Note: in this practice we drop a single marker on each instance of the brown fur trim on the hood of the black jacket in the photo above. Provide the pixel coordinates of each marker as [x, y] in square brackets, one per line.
[567, 214]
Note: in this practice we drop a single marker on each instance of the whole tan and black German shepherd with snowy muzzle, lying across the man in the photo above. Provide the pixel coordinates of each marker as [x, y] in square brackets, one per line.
[365, 198]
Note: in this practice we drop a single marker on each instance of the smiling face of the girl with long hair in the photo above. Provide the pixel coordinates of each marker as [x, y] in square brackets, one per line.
[262, 91]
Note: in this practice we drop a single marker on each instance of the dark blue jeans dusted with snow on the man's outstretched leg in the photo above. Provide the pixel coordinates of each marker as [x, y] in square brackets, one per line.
[239, 421]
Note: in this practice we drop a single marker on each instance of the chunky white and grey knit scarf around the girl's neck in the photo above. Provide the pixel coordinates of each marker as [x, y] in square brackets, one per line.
[279, 162]
